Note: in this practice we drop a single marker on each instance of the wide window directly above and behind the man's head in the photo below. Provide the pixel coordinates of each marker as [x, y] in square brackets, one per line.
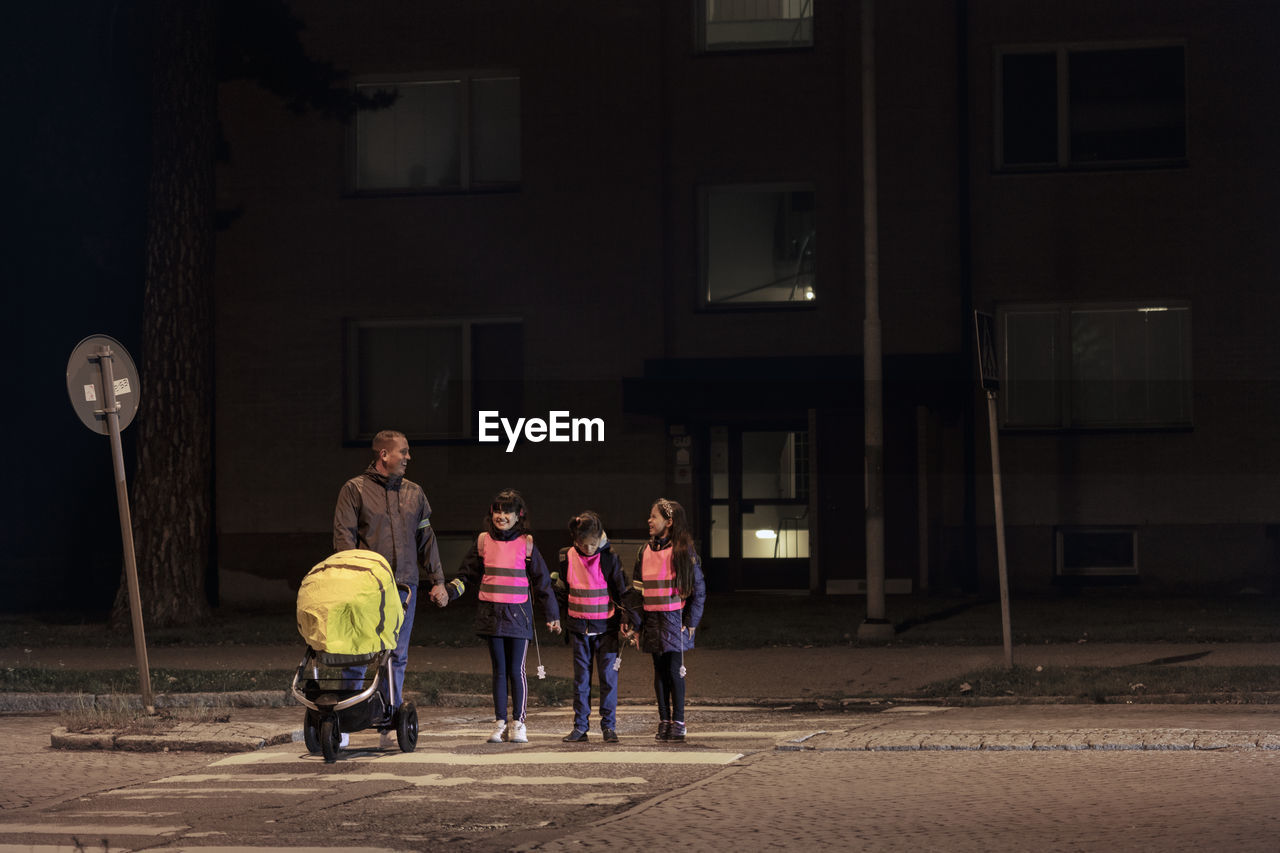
[429, 378]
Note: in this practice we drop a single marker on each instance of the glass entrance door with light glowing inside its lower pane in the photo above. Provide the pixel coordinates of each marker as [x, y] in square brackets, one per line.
[760, 507]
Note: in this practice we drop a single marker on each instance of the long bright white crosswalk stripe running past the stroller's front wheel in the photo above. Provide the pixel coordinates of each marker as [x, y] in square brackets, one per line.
[510, 758]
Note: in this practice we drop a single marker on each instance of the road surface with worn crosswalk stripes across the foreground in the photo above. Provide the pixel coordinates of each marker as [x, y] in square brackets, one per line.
[748, 779]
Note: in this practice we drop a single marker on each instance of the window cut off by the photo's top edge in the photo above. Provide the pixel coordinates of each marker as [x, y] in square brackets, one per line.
[755, 25]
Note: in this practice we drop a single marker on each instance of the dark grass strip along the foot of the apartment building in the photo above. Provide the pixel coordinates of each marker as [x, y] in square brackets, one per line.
[757, 621]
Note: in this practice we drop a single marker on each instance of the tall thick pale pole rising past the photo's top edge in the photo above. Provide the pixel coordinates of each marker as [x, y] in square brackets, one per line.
[874, 402]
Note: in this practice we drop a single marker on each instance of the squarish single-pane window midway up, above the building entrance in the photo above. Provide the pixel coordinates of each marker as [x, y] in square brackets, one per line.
[758, 245]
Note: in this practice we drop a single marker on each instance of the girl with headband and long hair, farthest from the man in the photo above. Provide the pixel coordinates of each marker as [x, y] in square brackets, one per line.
[669, 583]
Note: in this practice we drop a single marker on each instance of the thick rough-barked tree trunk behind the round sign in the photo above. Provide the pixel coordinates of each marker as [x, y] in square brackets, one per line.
[173, 492]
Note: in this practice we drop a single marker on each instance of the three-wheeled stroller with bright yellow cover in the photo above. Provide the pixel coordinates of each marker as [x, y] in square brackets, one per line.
[350, 615]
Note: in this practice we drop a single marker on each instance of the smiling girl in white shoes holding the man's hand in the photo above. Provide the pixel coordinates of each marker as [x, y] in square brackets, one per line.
[506, 565]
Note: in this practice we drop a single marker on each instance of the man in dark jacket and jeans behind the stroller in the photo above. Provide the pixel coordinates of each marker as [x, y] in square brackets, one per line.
[385, 513]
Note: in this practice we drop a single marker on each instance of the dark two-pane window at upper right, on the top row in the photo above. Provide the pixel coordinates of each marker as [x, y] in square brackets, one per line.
[1087, 107]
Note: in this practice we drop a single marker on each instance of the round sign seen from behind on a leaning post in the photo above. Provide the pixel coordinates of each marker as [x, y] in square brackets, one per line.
[103, 385]
